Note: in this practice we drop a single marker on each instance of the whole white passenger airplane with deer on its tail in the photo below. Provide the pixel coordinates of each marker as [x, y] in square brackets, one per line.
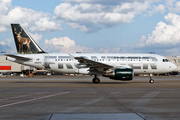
[116, 66]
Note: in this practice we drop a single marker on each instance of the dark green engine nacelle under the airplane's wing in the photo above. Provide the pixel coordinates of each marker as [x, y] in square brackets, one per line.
[120, 74]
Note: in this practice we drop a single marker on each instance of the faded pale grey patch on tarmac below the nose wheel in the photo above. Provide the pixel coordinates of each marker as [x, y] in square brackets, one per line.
[146, 98]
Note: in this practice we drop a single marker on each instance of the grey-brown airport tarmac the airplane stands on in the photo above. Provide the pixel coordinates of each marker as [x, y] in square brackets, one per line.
[77, 98]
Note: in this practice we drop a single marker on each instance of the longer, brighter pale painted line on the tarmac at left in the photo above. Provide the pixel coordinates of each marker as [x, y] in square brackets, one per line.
[32, 99]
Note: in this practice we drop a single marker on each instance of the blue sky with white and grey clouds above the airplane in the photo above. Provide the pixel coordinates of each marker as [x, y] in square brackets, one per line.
[94, 26]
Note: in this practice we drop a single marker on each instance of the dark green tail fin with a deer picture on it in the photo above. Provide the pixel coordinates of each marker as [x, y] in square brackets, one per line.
[25, 44]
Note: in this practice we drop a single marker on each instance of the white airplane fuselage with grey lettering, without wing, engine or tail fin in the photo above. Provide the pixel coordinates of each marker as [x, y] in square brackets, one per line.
[64, 63]
